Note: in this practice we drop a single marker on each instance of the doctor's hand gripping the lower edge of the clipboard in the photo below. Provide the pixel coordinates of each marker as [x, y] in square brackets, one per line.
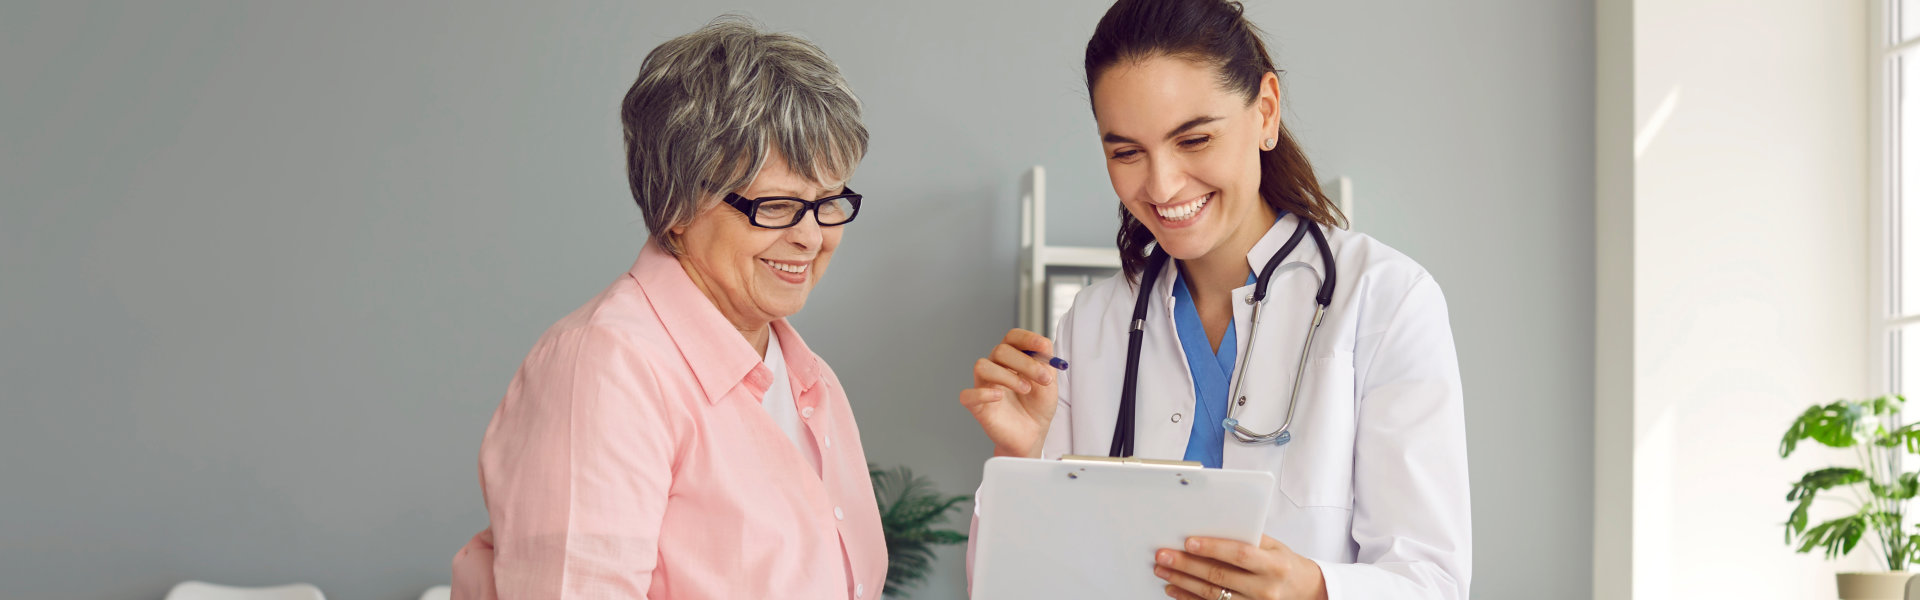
[1266, 572]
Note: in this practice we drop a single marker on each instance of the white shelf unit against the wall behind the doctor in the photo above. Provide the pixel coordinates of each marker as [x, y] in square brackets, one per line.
[1036, 257]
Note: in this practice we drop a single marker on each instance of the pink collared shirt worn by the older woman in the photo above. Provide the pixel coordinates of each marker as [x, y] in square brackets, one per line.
[633, 459]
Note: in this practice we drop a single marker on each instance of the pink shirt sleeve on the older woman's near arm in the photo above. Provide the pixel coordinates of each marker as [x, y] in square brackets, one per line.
[577, 470]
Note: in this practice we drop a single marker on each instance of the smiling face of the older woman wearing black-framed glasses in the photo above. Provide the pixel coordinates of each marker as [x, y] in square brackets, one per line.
[757, 276]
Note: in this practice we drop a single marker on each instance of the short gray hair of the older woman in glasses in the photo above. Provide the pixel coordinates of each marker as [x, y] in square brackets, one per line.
[708, 105]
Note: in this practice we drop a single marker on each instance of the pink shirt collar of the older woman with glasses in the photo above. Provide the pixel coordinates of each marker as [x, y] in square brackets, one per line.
[719, 357]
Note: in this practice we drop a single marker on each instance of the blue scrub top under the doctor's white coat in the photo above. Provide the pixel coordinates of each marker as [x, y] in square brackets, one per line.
[1212, 376]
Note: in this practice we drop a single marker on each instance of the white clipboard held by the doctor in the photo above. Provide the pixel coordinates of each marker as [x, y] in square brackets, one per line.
[1088, 528]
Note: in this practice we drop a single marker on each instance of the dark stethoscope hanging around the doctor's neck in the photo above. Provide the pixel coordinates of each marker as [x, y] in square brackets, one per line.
[1155, 262]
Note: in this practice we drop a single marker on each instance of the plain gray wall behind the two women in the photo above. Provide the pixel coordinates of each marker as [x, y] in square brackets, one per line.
[268, 268]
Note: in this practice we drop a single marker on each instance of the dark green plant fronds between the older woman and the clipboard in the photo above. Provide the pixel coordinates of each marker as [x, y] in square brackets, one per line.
[909, 511]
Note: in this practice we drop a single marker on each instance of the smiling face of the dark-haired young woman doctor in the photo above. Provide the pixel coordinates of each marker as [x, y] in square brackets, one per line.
[1184, 153]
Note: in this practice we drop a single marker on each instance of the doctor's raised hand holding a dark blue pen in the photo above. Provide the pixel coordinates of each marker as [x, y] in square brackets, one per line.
[1015, 395]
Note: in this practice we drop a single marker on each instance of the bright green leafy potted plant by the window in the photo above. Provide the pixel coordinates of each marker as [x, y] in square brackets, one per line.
[1879, 491]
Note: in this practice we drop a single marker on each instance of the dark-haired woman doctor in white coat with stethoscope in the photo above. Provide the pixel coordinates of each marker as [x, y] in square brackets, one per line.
[1268, 339]
